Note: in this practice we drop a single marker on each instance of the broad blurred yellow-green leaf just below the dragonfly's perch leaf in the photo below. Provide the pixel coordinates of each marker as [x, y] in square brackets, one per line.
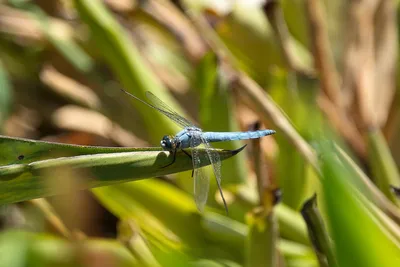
[160, 209]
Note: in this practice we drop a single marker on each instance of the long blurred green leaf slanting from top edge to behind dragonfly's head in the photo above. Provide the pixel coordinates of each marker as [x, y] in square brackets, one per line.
[127, 64]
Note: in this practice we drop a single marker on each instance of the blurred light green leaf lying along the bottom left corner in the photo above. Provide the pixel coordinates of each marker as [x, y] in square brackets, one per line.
[20, 248]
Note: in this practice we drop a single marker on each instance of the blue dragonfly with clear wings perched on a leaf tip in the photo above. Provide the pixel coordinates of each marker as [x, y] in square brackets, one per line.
[193, 137]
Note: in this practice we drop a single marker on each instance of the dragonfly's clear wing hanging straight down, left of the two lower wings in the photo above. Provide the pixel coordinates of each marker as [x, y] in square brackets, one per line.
[201, 180]
